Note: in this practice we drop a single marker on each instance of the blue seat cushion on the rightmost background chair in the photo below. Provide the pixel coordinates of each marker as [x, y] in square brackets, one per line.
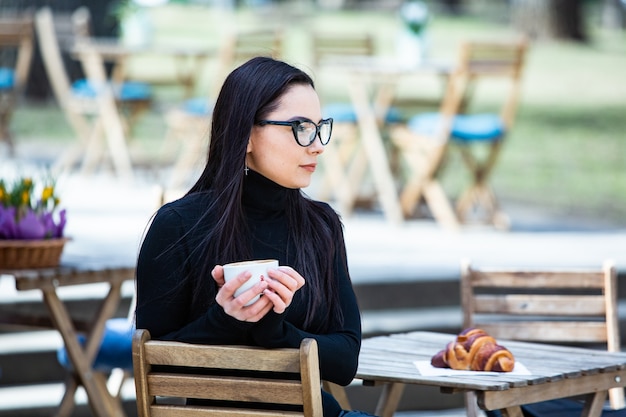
[465, 128]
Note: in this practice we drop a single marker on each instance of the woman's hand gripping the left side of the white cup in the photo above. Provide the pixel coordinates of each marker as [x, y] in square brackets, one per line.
[236, 306]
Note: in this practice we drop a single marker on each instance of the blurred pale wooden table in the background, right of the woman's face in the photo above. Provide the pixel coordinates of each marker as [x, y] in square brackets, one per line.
[372, 86]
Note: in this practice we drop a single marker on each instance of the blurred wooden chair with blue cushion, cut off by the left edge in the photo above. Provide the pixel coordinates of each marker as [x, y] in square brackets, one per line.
[16, 40]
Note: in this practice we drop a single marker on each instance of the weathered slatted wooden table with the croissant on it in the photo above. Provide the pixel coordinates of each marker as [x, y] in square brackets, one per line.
[557, 372]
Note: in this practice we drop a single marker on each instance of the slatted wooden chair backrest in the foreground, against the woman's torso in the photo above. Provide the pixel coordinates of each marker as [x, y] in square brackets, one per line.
[257, 380]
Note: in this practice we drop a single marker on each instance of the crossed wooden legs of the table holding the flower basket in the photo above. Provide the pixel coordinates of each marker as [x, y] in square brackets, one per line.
[100, 401]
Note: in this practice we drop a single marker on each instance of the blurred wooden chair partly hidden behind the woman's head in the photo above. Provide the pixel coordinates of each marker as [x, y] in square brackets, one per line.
[188, 125]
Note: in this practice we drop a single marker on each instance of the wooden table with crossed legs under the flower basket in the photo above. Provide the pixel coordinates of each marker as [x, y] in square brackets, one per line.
[48, 280]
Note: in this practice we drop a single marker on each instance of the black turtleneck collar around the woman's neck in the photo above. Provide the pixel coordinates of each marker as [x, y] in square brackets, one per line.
[261, 194]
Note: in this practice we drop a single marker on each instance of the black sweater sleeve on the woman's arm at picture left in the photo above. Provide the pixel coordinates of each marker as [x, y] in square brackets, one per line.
[164, 301]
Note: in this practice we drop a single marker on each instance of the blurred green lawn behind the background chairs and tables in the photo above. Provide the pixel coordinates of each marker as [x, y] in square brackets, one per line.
[567, 151]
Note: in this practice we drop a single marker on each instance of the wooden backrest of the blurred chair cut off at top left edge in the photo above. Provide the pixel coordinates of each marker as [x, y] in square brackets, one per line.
[17, 33]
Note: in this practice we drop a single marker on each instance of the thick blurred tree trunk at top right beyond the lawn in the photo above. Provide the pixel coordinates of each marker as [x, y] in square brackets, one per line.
[557, 19]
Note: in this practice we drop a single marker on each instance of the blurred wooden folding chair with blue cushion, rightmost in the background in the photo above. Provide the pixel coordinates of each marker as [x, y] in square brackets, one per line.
[424, 140]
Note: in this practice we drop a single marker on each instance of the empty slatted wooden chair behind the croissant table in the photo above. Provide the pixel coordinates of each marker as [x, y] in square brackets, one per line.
[560, 305]
